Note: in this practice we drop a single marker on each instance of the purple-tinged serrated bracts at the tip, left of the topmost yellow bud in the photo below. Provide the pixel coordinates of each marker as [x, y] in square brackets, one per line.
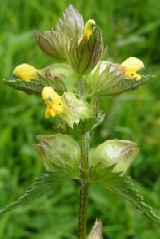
[55, 43]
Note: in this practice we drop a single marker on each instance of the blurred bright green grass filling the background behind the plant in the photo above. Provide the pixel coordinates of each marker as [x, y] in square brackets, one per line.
[130, 28]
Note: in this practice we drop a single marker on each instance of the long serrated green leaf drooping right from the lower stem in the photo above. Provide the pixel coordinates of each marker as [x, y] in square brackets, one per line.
[122, 186]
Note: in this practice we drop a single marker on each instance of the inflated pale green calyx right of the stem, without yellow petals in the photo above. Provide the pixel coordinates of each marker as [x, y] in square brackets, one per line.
[118, 152]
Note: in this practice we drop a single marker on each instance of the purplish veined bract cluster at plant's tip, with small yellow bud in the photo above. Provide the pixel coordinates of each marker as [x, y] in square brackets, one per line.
[72, 42]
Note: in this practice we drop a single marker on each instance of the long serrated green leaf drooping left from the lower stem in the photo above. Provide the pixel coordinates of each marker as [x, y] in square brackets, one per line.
[45, 182]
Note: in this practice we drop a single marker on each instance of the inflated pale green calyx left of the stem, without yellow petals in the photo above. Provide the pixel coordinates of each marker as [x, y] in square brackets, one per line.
[57, 149]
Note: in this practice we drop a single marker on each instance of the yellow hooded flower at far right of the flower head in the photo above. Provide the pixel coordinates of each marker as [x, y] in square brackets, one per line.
[132, 65]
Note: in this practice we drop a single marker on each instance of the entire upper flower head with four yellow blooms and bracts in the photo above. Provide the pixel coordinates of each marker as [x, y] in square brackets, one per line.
[78, 73]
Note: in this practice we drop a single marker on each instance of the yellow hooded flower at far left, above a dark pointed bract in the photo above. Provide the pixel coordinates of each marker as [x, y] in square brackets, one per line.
[25, 72]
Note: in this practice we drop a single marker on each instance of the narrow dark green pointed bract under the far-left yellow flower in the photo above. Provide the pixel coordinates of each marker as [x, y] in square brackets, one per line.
[30, 87]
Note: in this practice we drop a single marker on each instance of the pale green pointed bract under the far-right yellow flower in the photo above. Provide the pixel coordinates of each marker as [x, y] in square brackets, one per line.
[109, 80]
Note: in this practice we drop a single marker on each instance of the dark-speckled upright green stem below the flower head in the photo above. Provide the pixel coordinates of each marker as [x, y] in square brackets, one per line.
[83, 190]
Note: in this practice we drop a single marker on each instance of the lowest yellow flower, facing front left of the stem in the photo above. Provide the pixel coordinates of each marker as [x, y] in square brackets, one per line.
[53, 101]
